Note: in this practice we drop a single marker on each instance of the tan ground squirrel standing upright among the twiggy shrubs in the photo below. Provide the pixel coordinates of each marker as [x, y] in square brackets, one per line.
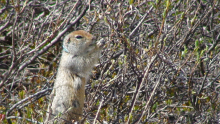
[80, 54]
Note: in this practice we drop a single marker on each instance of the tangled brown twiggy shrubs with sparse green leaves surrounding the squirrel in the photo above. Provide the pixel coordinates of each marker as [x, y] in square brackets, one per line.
[161, 62]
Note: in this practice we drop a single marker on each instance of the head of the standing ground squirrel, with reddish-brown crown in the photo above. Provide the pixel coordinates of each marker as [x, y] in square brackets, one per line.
[81, 42]
